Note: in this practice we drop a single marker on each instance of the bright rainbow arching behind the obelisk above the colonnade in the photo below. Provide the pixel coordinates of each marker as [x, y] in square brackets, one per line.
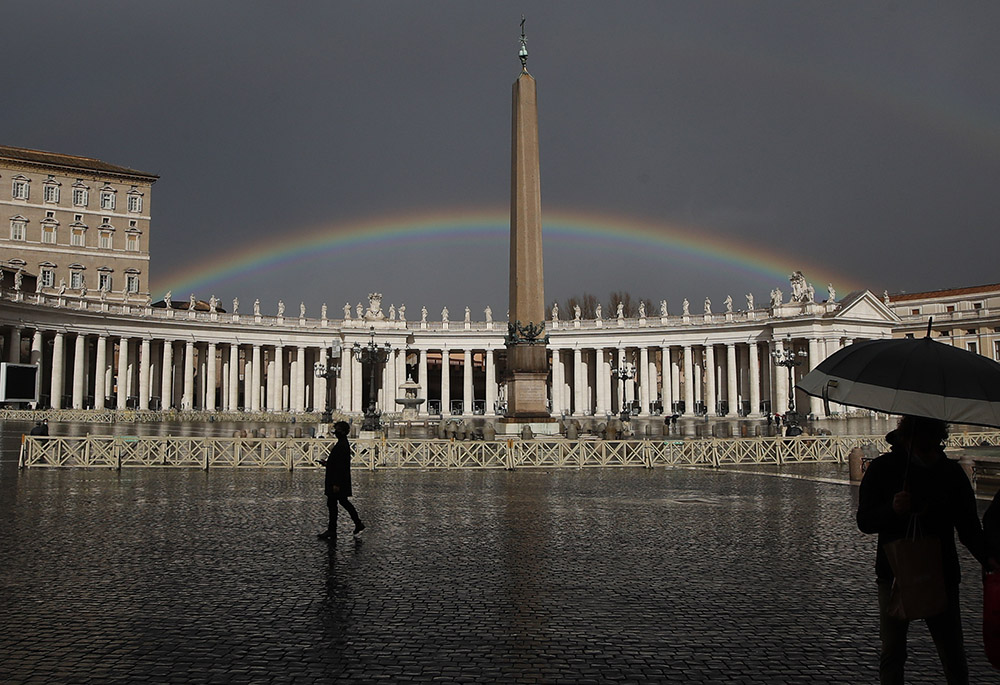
[588, 230]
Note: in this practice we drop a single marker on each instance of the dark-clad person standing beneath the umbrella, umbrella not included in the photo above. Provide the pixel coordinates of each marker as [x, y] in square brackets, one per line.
[915, 480]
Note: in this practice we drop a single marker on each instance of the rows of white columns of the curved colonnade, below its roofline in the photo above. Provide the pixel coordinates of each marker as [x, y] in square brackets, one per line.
[725, 379]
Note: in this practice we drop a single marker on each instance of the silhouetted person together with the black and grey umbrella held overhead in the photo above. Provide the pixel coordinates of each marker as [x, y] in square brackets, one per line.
[914, 497]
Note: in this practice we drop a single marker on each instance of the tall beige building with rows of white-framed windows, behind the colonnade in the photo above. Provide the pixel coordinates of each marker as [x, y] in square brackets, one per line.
[75, 224]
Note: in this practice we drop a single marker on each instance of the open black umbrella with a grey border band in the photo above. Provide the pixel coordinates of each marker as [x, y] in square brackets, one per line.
[919, 377]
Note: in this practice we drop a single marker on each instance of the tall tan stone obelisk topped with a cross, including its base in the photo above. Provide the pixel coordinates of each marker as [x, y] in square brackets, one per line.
[527, 357]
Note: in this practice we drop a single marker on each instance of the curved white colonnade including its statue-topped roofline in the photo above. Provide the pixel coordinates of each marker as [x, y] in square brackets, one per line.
[120, 355]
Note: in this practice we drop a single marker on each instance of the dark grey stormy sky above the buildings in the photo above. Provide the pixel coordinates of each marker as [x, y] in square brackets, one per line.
[861, 139]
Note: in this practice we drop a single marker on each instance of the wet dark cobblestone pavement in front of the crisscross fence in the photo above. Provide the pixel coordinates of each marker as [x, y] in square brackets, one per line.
[616, 575]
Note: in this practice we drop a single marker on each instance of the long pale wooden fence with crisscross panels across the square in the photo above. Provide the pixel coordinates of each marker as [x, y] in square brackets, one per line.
[294, 453]
